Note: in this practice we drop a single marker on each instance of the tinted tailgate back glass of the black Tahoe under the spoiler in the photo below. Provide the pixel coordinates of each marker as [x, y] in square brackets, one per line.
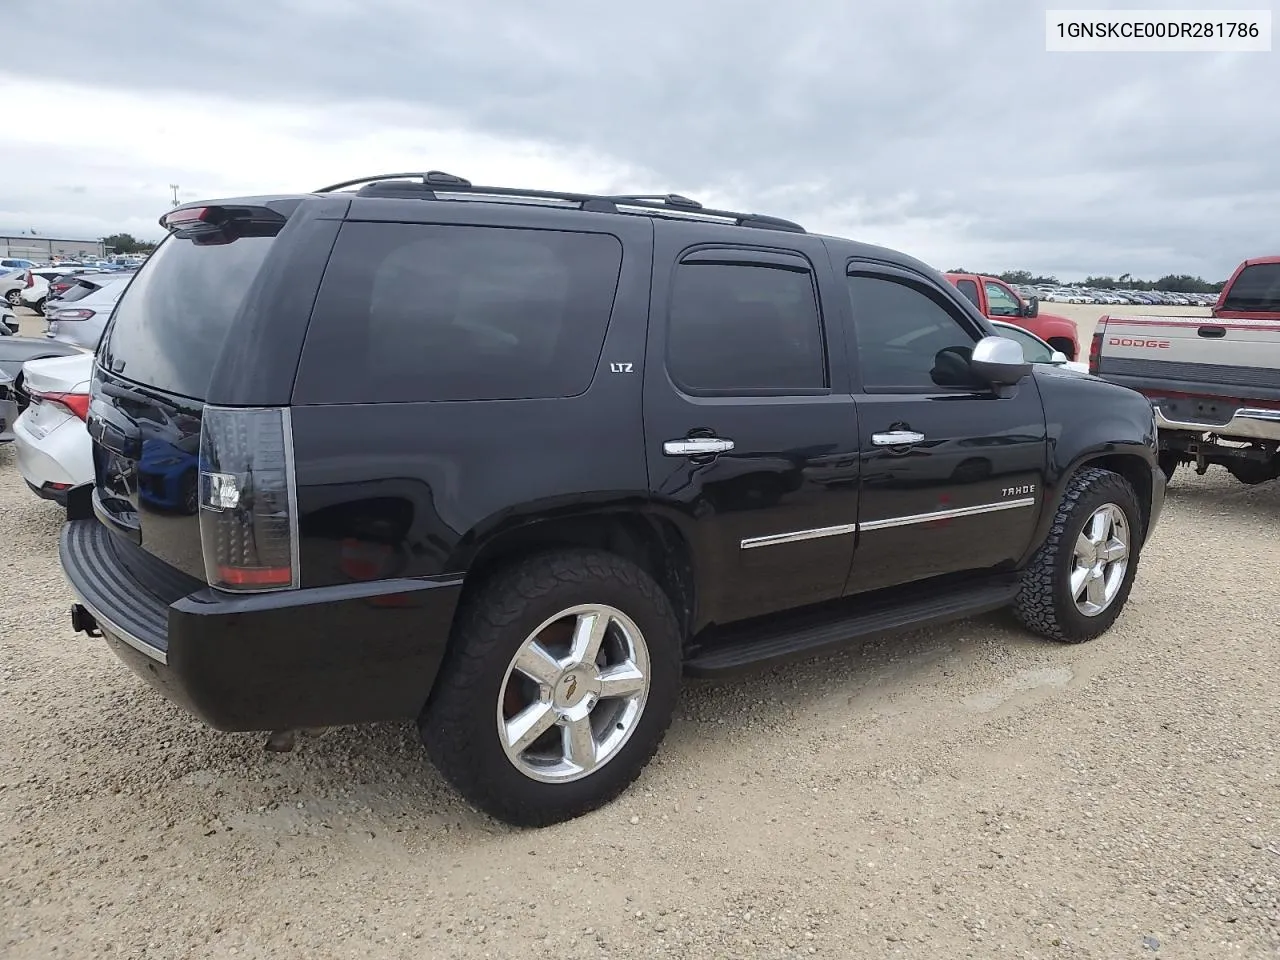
[171, 326]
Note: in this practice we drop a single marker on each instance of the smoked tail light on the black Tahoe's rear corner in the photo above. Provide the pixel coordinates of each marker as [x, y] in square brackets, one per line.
[249, 528]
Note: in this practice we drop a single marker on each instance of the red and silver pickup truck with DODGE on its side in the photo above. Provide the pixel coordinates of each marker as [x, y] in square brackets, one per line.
[1214, 382]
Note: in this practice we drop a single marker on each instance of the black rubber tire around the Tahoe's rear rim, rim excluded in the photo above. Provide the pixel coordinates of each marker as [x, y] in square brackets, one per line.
[460, 726]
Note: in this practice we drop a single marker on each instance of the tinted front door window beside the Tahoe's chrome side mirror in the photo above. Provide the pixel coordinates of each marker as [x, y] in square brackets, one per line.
[907, 339]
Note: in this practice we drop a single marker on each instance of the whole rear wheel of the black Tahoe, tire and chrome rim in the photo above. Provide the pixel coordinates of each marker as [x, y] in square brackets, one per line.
[560, 684]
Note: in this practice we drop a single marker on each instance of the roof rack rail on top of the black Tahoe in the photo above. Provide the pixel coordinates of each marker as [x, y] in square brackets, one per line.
[426, 186]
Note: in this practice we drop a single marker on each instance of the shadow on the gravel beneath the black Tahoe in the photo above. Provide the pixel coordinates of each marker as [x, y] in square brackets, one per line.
[378, 779]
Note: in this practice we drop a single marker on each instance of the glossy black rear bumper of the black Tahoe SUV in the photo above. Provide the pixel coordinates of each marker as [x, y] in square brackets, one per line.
[354, 653]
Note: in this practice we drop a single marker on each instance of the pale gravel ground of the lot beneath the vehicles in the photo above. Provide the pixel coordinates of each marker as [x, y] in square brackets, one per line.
[962, 793]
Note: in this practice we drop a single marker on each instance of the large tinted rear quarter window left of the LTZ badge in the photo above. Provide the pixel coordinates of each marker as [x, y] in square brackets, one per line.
[440, 313]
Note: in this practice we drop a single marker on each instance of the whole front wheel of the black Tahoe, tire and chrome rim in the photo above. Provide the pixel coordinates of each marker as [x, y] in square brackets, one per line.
[1081, 578]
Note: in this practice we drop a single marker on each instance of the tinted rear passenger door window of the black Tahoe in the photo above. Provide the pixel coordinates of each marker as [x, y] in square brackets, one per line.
[746, 327]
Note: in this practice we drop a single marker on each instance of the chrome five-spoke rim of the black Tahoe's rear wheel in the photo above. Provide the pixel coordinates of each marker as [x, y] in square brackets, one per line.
[574, 694]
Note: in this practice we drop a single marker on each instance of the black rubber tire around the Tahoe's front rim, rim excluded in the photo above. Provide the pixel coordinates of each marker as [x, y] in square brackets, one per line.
[1045, 605]
